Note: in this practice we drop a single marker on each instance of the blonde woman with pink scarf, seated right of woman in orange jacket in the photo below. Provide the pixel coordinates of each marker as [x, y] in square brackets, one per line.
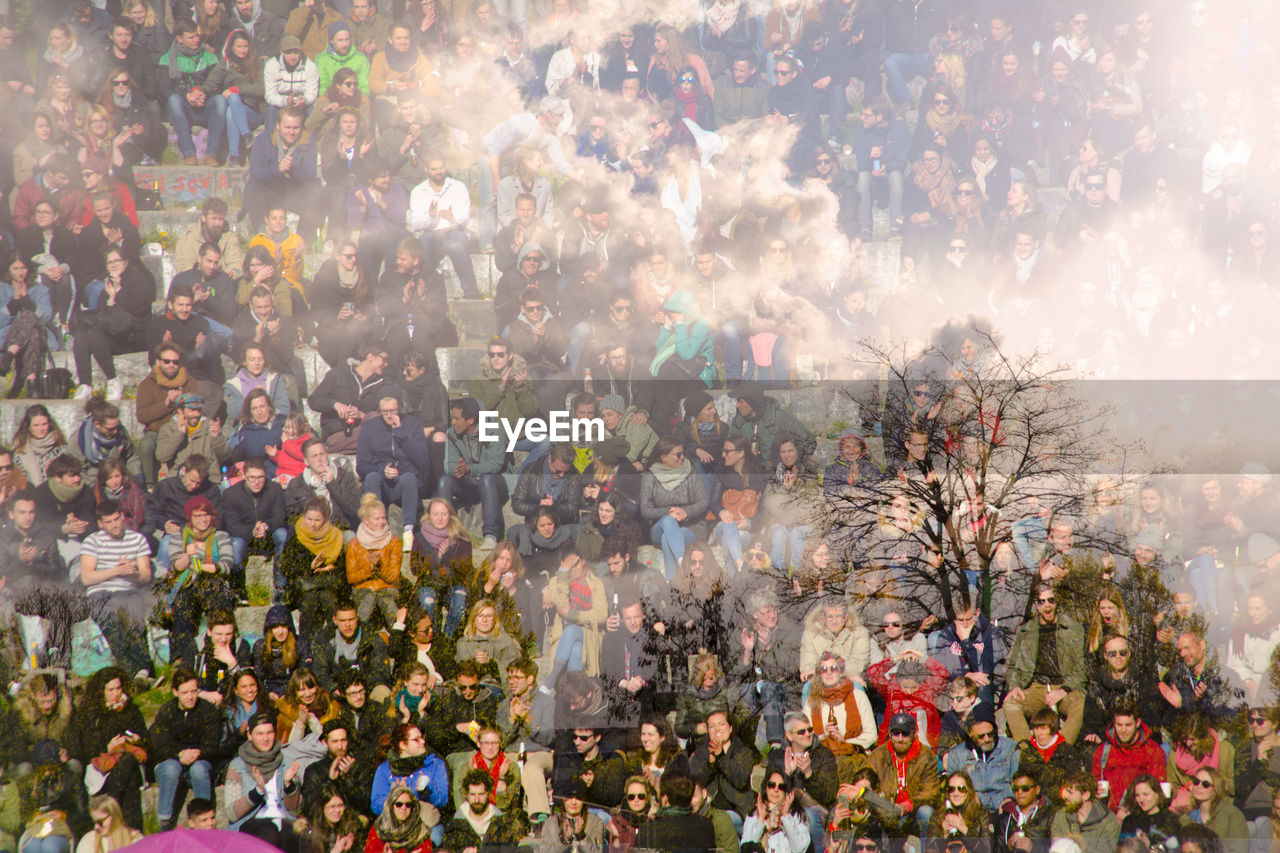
[442, 562]
